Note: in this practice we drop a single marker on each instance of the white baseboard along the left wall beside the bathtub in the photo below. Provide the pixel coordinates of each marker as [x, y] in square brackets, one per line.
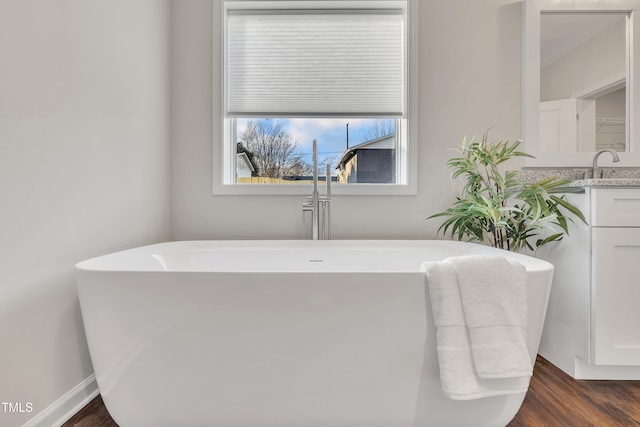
[67, 406]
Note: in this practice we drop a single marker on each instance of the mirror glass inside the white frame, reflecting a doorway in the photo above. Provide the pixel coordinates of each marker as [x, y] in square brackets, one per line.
[583, 74]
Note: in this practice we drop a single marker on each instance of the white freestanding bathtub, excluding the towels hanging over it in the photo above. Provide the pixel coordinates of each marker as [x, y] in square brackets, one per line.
[280, 333]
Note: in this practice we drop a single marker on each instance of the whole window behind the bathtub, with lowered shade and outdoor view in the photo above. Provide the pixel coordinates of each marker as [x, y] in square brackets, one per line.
[332, 71]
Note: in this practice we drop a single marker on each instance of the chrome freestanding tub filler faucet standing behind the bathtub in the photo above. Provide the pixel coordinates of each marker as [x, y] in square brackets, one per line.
[319, 206]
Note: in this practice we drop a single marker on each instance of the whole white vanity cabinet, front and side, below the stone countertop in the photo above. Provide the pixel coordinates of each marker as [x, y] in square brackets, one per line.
[592, 329]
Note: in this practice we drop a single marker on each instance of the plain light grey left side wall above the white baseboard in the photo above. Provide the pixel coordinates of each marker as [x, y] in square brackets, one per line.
[84, 170]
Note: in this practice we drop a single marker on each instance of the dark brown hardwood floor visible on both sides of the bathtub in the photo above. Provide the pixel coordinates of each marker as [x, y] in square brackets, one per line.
[554, 399]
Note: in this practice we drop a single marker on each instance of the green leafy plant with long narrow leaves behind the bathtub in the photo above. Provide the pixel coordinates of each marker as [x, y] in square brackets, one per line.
[500, 209]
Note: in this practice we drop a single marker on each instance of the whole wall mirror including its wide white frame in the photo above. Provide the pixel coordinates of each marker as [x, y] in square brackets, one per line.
[579, 88]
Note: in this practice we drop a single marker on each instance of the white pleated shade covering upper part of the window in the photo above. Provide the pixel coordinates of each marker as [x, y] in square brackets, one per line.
[314, 63]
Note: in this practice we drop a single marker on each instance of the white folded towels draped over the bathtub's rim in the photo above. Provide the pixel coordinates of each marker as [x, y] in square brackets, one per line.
[479, 308]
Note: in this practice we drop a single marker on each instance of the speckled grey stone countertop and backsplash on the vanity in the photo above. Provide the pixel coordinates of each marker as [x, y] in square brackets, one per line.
[611, 177]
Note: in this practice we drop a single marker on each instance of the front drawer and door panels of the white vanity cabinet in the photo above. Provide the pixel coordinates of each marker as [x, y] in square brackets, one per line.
[615, 271]
